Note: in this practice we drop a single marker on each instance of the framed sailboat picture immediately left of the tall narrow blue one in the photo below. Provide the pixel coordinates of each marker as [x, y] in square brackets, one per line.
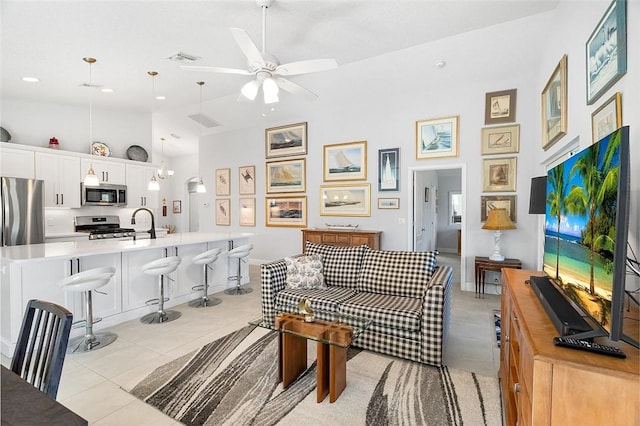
[345, 161]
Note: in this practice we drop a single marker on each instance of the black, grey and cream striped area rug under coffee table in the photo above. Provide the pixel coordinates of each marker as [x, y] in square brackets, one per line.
[233, 381]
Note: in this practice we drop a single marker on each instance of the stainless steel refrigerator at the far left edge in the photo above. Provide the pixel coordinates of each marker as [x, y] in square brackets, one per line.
[22, 211]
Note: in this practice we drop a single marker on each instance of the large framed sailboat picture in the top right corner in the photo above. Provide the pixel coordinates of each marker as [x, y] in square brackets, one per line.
[606, 51]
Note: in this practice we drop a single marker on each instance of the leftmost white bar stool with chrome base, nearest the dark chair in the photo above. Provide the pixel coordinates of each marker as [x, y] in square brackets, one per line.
[86, 282]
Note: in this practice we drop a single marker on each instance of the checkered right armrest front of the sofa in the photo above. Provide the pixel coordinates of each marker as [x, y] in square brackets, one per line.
[436, 314]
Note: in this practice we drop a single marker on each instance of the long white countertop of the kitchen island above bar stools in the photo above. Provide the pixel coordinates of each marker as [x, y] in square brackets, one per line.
[65, 250]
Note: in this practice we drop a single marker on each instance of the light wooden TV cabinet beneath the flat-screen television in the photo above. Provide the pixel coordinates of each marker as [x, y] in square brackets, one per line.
[543, 384]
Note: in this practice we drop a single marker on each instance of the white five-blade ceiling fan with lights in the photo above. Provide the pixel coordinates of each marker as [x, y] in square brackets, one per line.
[269, 73]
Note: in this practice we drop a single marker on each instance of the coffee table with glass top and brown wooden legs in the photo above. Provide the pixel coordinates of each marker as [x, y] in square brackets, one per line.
[332, 337]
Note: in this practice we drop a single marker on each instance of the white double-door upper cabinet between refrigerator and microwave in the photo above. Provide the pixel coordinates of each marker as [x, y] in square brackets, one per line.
[61, 175]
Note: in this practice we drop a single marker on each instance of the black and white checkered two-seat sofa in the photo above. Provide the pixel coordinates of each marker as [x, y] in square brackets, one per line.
[405, 294]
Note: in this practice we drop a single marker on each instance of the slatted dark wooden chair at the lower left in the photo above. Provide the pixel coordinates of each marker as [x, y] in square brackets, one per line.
[42, 345]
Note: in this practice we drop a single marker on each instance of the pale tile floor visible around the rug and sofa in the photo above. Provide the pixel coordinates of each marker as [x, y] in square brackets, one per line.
[94, 385]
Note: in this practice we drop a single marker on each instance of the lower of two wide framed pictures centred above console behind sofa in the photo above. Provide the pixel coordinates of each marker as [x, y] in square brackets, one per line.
[345, 200]
